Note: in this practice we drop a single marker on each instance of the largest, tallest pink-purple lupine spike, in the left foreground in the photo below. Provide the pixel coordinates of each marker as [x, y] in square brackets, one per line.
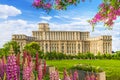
[12, 68]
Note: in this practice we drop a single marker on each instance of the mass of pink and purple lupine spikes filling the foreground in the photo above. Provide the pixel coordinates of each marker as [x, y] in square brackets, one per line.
[13, 69]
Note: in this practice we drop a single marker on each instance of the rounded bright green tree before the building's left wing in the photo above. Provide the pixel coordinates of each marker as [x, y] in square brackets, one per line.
[32, 48]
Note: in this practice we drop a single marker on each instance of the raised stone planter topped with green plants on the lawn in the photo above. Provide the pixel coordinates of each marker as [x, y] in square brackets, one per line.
[86, 72]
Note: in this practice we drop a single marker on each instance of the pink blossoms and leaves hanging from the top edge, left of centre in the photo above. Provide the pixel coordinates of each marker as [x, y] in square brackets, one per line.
[54, 4]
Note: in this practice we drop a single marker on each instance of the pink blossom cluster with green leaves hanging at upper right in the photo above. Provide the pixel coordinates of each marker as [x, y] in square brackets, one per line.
[107, 14]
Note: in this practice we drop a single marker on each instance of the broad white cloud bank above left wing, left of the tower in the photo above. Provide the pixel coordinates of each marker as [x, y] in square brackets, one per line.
[7, 28]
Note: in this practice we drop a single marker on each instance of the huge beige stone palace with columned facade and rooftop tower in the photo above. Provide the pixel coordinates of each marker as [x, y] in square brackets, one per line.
[68, 42]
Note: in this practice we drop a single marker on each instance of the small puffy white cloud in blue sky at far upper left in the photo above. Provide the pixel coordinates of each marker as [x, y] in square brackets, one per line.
[6, 11]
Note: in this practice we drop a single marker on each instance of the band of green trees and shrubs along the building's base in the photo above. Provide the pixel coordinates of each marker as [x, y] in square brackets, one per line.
[33, 47]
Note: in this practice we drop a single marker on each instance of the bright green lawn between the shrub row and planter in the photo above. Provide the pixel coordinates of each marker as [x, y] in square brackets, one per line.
[111, 67]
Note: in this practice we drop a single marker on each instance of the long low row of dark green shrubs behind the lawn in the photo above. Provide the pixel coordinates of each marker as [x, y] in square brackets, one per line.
[88, 55]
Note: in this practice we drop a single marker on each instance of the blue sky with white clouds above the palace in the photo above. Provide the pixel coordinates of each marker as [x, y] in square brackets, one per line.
[20, 17]
